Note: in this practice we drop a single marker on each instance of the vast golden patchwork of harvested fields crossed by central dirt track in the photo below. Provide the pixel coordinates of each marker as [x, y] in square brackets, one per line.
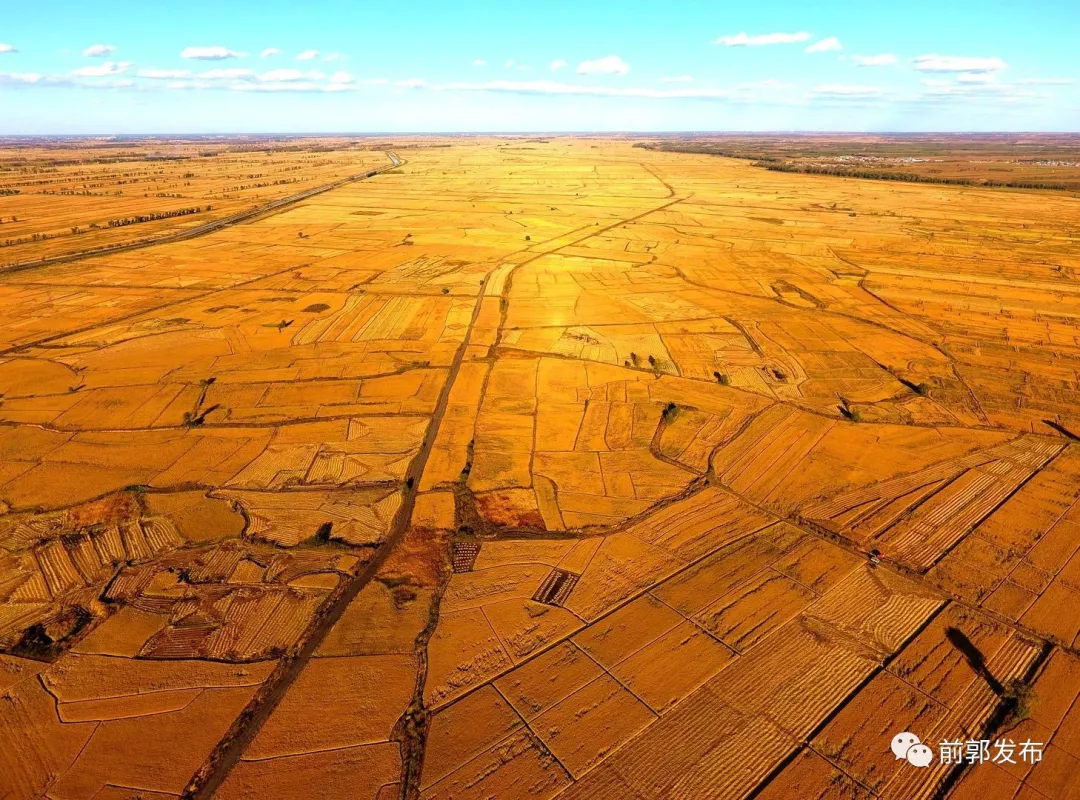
[548, 468]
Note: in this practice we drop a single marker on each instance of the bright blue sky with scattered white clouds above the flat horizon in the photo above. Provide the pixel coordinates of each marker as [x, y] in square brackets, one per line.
[548, 65]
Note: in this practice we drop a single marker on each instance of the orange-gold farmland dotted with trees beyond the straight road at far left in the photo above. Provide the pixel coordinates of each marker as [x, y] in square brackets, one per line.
[79, 196]
